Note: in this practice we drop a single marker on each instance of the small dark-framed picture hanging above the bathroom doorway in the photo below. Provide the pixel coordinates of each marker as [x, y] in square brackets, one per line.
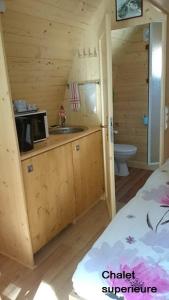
[127, 9]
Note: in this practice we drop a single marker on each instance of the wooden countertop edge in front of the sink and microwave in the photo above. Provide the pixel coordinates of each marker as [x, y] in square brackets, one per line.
[35, 152]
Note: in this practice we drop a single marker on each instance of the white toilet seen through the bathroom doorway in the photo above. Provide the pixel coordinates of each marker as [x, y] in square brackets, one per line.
[122, 153]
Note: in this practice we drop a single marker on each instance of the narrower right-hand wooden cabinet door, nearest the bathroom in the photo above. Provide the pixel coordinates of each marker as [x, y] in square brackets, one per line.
[88, 171]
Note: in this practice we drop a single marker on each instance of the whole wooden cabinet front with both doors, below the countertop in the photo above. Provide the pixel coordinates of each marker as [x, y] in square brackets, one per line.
[61, 184]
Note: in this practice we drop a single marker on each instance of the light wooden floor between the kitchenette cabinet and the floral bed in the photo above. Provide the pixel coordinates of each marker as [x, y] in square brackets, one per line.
[56, 270]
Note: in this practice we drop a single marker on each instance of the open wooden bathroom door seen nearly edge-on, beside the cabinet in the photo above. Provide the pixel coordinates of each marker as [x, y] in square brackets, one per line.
[107, 128]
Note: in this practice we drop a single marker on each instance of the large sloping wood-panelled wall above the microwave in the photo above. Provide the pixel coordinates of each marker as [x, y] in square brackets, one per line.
[40, 38]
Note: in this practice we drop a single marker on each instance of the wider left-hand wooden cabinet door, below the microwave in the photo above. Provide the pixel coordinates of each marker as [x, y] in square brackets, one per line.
[49, 187]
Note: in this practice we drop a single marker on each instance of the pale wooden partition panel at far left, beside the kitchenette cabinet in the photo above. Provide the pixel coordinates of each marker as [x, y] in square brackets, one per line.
[14, 233]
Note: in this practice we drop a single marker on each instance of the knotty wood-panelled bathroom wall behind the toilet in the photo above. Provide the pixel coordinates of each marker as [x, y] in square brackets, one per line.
[130, 73]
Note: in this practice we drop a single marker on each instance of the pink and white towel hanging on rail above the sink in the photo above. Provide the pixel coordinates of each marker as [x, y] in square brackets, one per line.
[74, 96]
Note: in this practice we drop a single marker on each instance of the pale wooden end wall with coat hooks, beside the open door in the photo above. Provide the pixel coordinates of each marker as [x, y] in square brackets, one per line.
[88, 68]
